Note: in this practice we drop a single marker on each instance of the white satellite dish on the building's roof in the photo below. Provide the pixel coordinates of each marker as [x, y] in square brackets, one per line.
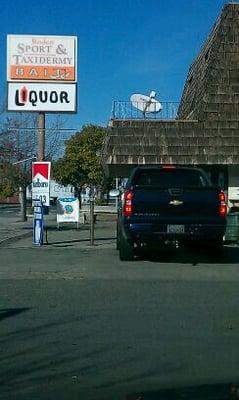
[146, 104]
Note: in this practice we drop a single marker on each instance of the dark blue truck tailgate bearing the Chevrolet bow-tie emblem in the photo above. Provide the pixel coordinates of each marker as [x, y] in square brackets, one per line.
[176, 205]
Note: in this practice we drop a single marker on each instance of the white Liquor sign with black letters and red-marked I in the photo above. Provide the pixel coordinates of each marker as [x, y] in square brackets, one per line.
[42, 97]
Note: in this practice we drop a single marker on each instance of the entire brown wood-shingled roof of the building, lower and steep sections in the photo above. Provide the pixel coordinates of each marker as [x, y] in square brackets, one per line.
[206, 130]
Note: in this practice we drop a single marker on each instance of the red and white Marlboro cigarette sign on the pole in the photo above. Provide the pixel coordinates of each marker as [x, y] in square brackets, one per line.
[41, 182]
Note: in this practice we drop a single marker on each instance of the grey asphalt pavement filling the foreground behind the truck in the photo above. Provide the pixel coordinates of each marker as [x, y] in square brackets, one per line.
[76, 323]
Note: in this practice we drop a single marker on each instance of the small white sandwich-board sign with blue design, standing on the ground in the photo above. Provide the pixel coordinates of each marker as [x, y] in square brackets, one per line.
[68, 209]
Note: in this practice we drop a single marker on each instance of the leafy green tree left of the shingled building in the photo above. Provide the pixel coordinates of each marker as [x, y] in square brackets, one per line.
[81, 163]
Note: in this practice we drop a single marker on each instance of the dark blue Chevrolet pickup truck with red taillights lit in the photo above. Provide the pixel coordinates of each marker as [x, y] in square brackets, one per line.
[170, 205]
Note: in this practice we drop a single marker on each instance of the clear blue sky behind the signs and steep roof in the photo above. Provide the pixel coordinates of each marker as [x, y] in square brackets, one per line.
[125, 47]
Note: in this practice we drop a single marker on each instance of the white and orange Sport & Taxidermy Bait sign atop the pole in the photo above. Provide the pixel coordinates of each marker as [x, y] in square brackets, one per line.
[41, 58]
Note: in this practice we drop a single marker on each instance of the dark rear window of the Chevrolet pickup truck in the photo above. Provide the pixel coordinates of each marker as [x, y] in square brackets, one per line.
[170, 178]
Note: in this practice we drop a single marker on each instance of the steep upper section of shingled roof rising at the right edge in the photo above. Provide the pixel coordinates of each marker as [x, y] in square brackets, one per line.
[211, 90]
